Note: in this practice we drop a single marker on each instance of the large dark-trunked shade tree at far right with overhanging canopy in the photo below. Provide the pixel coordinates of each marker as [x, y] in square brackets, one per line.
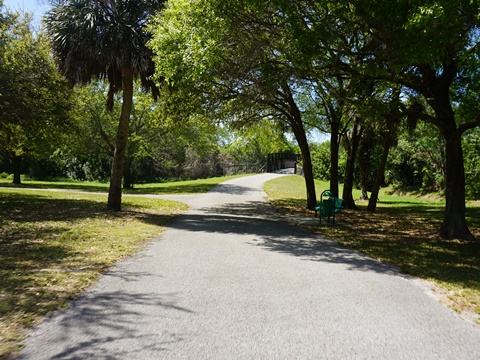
[431, 48]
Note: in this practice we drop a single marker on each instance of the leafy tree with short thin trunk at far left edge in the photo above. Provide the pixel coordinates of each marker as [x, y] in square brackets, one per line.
[33, 99]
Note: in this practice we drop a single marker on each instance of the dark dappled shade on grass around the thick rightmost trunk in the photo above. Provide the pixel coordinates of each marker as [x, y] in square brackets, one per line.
[408, 237]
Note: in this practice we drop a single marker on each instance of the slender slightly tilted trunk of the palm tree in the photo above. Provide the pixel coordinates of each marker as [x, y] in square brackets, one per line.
[115, 191]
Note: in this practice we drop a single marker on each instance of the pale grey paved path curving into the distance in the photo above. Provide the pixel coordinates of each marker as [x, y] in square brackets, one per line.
[232, 280]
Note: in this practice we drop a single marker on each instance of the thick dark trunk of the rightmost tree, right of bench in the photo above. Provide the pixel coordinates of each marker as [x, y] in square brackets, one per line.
[454, 223]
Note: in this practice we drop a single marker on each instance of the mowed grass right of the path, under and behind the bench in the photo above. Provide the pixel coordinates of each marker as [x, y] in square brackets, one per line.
[402, 232]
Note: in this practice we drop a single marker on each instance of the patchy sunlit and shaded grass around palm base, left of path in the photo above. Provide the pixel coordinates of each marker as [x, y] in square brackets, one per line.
[55, 244]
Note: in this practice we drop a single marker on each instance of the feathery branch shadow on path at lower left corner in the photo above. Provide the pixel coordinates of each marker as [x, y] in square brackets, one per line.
[102, 325]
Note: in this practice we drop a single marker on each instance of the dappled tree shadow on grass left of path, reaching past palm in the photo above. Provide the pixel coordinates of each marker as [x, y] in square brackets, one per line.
[34, 254]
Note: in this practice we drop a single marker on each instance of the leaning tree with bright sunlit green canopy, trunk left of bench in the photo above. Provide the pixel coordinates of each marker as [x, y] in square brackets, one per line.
[228, 57]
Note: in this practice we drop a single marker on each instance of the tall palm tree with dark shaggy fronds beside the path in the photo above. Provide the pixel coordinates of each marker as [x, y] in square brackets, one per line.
[106, 39]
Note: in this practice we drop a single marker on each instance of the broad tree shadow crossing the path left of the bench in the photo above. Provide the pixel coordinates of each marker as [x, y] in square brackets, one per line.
[275, 232]
